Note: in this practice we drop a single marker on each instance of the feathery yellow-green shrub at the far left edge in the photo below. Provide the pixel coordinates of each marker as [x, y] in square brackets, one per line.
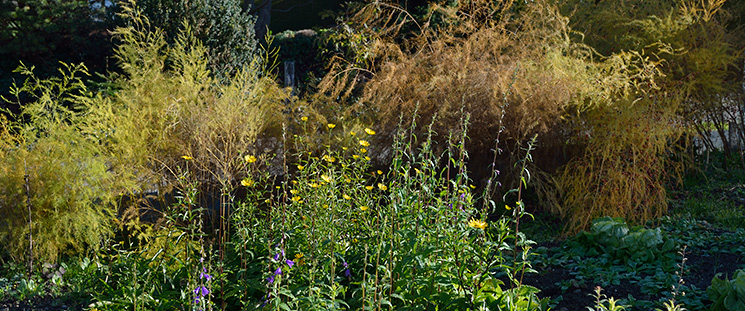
[53, 168]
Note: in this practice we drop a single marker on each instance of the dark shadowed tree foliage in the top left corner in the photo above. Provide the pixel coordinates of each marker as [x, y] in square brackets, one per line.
[42, 33]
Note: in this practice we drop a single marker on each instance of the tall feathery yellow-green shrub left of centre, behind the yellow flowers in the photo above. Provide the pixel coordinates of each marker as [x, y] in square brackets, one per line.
[170, 115]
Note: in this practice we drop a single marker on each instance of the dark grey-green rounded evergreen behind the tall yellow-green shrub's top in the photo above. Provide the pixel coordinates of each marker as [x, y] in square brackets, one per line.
[222, 26]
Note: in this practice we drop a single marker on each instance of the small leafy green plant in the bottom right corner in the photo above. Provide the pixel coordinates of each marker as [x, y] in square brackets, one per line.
[728, 294]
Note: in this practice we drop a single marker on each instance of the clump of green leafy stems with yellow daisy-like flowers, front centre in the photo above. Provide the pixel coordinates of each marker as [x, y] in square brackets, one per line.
[340, 234]
